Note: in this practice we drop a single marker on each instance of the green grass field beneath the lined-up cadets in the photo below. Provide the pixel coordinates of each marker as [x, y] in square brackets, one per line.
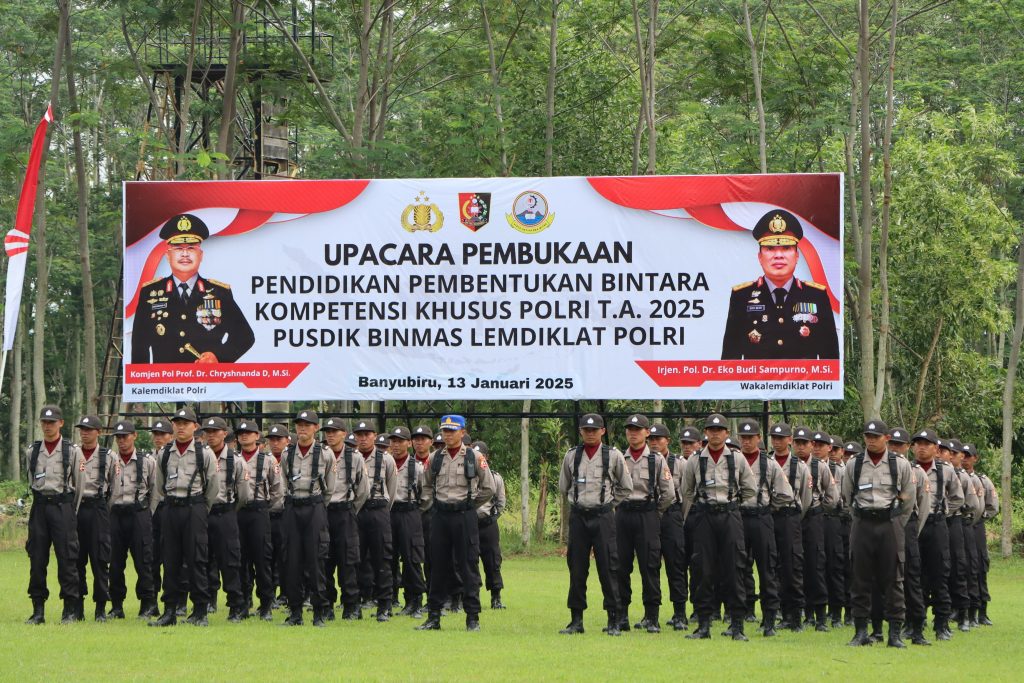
[521, 644]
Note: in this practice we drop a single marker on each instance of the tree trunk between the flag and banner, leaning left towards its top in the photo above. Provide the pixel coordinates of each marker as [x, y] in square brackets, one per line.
[89, 305]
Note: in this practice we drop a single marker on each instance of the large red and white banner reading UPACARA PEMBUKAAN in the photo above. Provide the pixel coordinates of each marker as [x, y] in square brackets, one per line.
[656, 287]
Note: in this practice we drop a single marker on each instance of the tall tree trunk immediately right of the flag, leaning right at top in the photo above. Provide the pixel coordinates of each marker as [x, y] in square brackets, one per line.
[39, 232]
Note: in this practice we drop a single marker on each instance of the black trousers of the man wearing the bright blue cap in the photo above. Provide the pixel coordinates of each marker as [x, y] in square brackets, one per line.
[455, 545]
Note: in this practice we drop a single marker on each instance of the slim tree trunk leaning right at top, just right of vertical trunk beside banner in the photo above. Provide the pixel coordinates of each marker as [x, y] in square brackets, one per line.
[887, 172]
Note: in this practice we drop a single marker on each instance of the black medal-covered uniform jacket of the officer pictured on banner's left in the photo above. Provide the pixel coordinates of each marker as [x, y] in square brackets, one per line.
[209, 321]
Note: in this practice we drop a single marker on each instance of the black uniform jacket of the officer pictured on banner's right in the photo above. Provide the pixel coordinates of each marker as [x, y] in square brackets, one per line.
[758, 328]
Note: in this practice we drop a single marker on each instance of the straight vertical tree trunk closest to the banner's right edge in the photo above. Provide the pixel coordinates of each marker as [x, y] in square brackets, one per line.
[866, 318]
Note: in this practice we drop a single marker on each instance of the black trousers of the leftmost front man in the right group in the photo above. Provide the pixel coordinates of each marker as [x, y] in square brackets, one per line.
[592, 532]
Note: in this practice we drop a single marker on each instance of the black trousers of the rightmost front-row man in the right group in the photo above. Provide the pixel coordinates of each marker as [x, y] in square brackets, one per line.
[879, 548]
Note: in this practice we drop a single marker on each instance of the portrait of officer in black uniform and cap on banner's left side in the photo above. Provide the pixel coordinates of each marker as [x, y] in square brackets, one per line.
[186, 318]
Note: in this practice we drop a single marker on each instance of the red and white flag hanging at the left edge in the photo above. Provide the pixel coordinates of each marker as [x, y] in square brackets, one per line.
[17, 241]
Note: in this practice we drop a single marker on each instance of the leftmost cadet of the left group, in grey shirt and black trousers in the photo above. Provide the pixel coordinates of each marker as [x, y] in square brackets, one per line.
[56, 479]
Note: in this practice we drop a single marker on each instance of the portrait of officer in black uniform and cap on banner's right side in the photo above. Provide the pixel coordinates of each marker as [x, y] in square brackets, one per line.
[779, 316]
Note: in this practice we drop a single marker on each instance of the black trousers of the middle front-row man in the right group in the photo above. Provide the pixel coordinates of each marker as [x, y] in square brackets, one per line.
[719, 556]
